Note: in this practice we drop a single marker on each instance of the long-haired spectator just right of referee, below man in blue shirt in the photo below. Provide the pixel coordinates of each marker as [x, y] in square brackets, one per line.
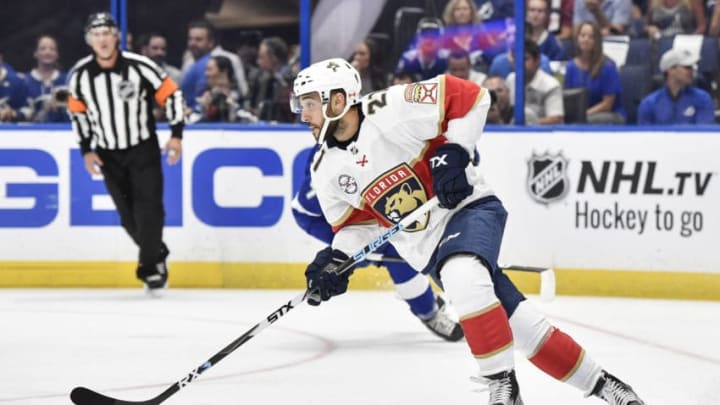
[219, 102]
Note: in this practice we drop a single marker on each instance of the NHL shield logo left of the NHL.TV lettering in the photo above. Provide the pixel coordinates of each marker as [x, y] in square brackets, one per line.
[547, 177]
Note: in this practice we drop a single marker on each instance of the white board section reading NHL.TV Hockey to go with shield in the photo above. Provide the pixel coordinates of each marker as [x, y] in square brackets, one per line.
[643, 201]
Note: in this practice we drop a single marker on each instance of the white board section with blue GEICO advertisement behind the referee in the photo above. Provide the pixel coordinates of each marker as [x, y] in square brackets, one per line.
[228, 199]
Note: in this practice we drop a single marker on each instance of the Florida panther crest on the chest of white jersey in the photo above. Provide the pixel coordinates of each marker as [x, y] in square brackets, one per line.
[397, 193]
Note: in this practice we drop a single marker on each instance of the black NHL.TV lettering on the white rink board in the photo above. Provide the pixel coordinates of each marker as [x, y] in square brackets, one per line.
[639, 177]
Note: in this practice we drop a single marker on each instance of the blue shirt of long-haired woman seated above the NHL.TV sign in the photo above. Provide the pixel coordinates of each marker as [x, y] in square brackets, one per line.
[606, 83]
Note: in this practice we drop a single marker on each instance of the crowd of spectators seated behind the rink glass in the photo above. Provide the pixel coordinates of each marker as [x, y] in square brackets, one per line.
[577, 53]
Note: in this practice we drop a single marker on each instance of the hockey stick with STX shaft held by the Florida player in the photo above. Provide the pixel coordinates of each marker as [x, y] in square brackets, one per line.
[86, 396]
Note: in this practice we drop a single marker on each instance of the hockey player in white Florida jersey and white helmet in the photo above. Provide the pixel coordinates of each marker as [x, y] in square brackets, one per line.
[385, 155]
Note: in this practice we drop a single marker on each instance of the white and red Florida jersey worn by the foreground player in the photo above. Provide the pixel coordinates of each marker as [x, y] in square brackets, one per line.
[383, 173]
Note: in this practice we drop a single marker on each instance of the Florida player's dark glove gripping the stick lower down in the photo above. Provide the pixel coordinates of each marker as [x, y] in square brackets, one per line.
[322, 281]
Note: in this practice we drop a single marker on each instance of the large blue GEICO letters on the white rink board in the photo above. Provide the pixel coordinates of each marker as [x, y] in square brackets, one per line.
[36, 200]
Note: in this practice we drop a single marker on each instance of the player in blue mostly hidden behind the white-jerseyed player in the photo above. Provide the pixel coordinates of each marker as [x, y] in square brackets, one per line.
[412, 286]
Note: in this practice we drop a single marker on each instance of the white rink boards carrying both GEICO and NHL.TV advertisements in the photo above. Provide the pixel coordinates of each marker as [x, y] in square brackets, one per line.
[643, 201]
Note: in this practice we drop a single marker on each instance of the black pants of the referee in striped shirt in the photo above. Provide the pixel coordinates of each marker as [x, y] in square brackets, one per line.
[134, 179]
